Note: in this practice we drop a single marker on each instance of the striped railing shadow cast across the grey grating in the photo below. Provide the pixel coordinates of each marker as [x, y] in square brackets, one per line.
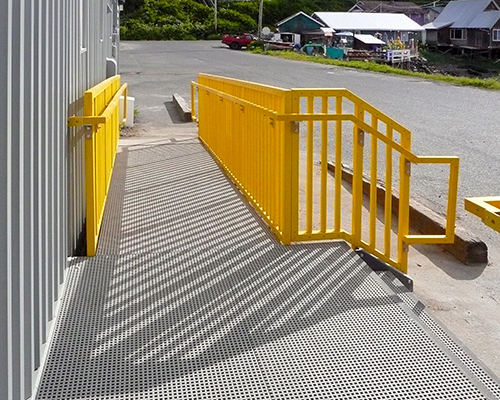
[198, 281]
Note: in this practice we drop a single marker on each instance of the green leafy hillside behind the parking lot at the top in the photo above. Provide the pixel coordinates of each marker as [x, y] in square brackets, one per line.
[192, 20]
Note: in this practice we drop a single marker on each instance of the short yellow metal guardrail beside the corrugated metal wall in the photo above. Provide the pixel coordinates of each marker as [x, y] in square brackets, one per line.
[101, 124]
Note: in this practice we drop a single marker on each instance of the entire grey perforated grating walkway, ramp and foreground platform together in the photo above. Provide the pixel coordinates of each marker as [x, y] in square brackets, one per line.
[191, 297]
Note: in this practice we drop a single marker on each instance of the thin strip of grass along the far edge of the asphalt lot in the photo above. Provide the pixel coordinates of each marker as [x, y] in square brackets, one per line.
[490, 83]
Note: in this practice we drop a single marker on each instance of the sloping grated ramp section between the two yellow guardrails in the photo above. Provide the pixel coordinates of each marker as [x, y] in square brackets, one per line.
[174, 198]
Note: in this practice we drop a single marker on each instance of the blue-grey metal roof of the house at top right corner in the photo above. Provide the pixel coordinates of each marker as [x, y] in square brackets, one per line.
[467, 14]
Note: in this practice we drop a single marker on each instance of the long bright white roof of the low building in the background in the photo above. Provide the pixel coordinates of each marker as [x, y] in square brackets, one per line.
[346, 21]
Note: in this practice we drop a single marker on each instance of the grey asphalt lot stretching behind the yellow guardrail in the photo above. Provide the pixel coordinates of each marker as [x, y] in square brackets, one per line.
[444, 119]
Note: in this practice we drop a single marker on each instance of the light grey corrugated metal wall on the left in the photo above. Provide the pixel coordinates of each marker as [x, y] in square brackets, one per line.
[51, 51]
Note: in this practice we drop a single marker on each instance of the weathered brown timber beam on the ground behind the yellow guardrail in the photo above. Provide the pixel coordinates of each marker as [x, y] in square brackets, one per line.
[467, 247]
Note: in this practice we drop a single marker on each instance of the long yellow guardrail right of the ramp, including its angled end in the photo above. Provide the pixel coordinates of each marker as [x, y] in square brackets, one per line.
[276, 144]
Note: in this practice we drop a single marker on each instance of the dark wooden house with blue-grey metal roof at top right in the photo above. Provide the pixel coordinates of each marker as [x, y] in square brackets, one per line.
[467, 25]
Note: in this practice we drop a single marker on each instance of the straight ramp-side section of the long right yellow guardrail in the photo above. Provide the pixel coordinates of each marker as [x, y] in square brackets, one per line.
[254, 158]
